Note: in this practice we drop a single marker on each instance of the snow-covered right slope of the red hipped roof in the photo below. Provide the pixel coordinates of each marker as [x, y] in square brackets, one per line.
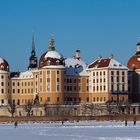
[115, 64]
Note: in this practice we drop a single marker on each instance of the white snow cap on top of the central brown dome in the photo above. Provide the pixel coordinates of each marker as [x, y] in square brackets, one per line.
[53, 54]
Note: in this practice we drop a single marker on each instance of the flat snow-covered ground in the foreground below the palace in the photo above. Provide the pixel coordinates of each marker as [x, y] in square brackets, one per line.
[71, 131]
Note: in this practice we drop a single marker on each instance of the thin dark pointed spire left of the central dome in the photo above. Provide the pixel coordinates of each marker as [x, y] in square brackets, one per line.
[33, 58]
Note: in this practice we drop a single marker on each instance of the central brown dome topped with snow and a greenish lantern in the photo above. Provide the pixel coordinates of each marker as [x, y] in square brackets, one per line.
[51, 57]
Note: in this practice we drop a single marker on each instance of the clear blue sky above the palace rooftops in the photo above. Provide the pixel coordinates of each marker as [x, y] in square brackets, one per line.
[93, 26]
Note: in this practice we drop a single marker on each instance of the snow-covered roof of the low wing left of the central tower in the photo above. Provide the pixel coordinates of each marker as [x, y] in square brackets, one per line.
[24, 75]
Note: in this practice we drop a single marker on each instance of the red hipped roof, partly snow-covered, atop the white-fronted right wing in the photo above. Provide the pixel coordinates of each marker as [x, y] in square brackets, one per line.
[106, 63]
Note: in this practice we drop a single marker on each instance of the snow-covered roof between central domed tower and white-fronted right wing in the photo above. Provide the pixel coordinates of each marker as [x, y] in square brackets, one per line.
[75, 67]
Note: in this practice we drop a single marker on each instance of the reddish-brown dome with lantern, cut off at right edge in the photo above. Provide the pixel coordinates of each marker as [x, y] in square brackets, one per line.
[134, 61]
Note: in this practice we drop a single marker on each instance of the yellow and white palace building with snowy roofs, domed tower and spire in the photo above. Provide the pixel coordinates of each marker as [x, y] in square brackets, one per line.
[59, 80]
